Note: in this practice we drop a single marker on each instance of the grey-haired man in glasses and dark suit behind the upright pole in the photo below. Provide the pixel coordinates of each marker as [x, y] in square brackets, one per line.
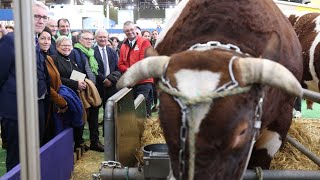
[8, 96]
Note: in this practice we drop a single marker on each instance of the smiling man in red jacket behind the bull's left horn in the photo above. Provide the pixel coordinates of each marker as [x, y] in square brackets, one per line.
[132, 51]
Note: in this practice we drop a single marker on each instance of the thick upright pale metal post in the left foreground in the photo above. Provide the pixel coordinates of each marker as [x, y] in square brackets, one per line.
[26, 90]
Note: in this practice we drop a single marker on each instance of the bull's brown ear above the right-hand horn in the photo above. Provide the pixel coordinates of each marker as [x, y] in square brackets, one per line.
[272, 48]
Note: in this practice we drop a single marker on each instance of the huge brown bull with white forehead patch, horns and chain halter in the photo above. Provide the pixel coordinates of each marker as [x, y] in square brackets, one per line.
[210, 103]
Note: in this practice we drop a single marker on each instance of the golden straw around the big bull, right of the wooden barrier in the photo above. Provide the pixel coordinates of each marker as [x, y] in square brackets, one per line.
[307, 132]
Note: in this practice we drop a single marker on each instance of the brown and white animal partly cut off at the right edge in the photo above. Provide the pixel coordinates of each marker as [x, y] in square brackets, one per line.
[307, 27]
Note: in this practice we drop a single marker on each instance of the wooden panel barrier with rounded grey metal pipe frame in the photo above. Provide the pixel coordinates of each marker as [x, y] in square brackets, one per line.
[123, 126]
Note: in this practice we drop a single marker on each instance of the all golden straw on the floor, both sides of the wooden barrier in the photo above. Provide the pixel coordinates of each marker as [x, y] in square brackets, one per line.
[305, 131]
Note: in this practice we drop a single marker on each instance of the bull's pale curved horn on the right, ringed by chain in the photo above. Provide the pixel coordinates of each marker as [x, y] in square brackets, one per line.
[264, 71]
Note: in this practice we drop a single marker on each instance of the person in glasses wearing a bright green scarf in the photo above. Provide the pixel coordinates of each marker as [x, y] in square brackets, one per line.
[84, 49]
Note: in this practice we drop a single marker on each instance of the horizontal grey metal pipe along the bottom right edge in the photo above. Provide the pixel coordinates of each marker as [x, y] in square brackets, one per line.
[280, 174]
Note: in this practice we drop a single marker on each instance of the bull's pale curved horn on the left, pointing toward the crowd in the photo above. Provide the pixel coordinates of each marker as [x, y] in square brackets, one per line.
[149, 67]
